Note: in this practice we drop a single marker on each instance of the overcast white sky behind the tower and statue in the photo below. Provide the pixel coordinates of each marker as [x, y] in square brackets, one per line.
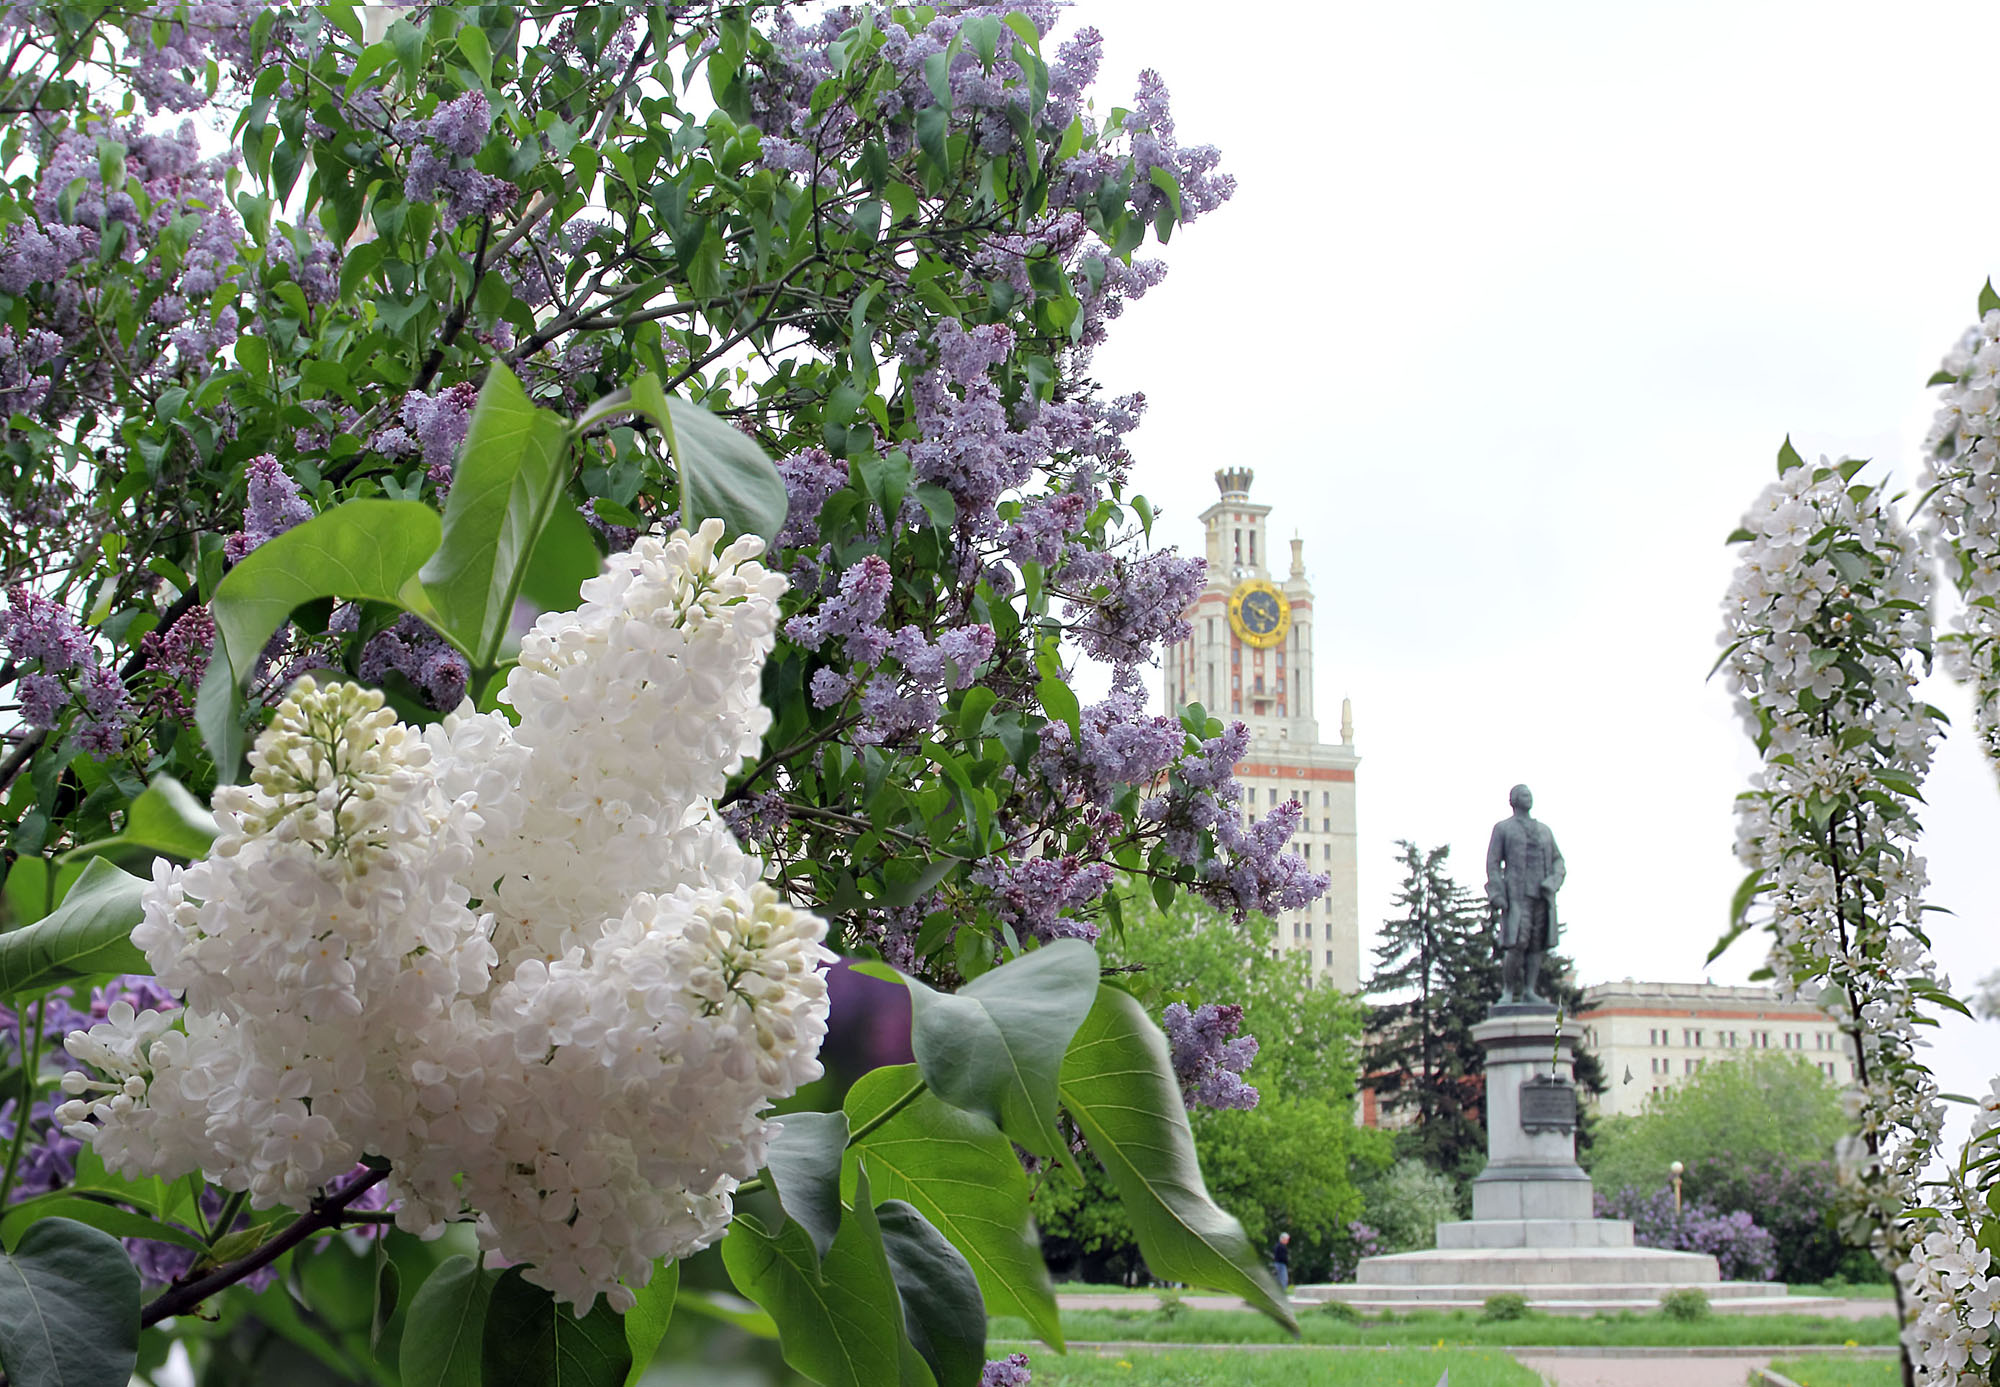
[1511, 315]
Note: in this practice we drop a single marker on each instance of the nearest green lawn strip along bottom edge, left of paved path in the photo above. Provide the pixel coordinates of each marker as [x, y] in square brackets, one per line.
[1283, 1368]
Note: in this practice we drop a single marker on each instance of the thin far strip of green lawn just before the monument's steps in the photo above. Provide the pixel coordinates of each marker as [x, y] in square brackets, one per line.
[1629, 1330]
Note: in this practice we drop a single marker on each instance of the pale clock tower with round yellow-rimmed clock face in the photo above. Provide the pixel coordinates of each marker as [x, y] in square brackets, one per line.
[1251, 661]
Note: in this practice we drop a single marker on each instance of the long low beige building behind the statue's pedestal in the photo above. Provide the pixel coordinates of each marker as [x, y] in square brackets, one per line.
[1655, 1036]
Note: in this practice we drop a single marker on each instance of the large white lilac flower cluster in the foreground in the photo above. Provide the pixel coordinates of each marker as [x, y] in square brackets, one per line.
[523, 964]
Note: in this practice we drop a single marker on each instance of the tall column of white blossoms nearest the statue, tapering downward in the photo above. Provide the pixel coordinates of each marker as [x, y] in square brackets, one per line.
[1825, 623]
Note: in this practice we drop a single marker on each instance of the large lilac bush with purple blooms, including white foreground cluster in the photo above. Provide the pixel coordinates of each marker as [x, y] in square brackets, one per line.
[625, 483]
